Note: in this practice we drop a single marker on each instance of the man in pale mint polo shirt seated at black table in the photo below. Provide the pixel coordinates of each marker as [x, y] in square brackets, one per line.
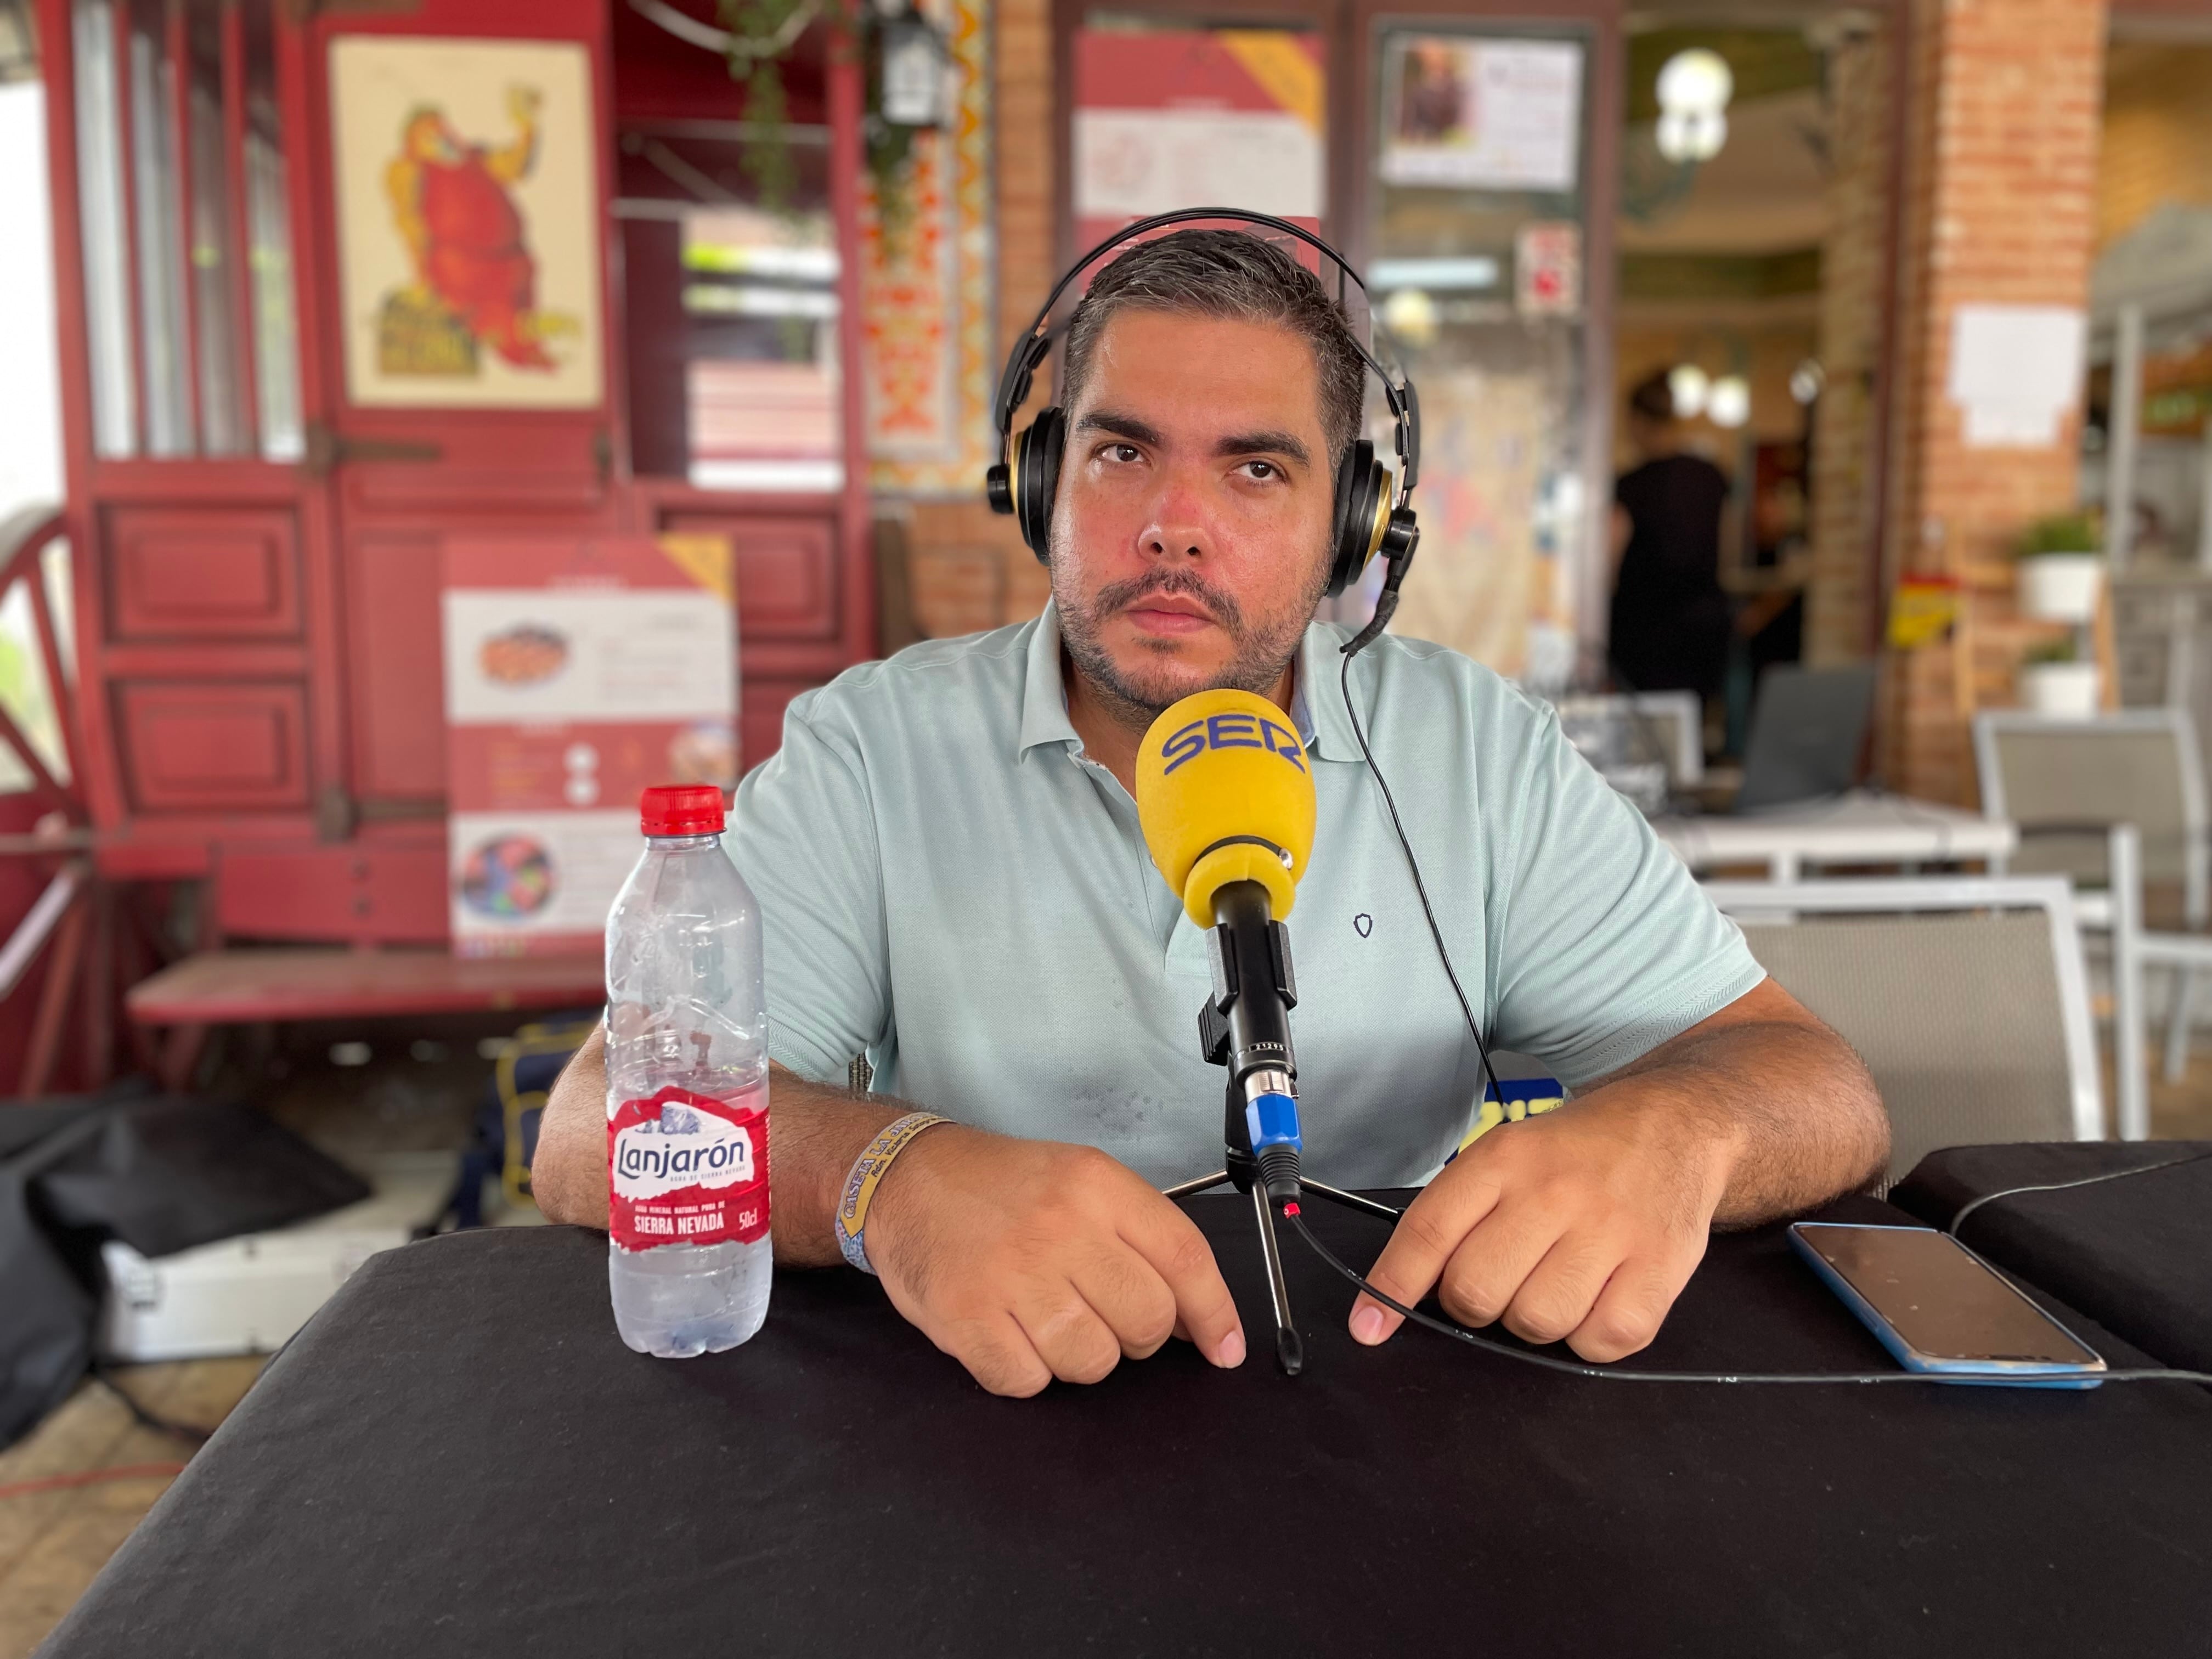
[952, 879]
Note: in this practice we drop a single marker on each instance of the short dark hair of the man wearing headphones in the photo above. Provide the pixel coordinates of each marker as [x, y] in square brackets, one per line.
[1235, 275]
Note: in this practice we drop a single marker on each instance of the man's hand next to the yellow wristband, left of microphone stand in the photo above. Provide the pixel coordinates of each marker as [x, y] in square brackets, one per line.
[1036, 1260]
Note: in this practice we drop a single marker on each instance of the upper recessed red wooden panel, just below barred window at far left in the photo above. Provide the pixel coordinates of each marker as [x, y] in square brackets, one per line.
[225, 574]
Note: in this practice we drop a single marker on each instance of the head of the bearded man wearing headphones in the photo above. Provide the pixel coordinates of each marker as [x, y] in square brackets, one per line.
[1211, 386]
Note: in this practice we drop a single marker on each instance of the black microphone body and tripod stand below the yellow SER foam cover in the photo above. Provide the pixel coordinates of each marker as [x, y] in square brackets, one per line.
[1244, 1025]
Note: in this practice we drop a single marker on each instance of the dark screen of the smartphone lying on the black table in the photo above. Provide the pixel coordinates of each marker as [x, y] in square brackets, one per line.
[1941, 1300]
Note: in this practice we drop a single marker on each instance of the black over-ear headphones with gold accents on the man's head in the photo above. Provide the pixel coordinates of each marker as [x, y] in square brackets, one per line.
[1370, 514]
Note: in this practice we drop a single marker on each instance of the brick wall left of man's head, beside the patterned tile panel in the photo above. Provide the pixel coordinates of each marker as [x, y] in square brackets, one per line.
[968, 565]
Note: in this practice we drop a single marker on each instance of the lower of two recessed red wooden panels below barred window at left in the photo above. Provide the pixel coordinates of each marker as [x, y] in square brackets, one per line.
[211, 749]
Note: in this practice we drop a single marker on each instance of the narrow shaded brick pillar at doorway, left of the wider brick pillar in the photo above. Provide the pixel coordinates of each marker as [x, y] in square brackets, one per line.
[1844, 585]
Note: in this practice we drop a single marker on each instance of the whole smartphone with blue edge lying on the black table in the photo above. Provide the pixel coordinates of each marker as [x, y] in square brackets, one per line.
[1941, 1308]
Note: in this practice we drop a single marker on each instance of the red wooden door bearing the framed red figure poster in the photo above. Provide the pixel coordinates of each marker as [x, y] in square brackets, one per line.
[468, 375]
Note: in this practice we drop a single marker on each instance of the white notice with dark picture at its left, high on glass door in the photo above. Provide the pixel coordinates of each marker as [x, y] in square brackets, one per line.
[1483, 114]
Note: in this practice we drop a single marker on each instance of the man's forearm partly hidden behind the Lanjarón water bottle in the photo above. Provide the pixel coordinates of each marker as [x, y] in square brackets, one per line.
[813, 1138]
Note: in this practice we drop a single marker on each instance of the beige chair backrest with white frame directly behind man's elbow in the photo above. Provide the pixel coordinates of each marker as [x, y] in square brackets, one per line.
[1965, 997]
